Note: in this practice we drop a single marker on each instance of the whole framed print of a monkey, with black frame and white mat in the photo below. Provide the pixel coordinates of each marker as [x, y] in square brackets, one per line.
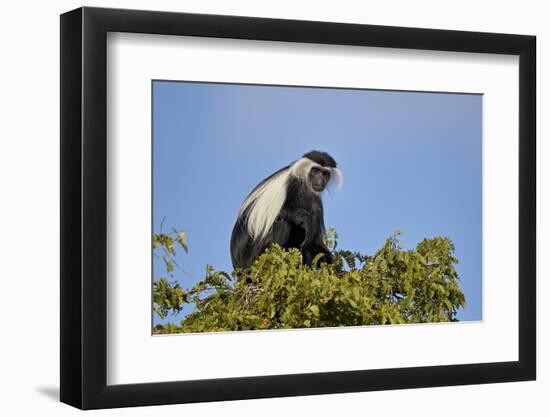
[296, 207]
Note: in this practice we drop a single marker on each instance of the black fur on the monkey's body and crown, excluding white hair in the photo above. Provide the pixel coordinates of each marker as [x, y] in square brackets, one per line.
[300, 223]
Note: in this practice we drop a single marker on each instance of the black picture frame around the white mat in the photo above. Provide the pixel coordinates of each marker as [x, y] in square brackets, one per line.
[84, 207]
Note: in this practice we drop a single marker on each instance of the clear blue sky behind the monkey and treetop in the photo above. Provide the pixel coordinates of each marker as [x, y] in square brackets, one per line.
[411, 162]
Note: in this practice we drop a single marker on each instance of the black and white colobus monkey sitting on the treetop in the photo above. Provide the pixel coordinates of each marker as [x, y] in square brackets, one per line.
[286, 209]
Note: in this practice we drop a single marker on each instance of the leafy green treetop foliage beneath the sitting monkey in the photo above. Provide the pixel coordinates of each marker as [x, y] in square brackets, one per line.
[279, 292]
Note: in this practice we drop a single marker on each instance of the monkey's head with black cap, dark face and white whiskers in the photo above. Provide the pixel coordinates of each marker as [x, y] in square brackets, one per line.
[317, 170]
